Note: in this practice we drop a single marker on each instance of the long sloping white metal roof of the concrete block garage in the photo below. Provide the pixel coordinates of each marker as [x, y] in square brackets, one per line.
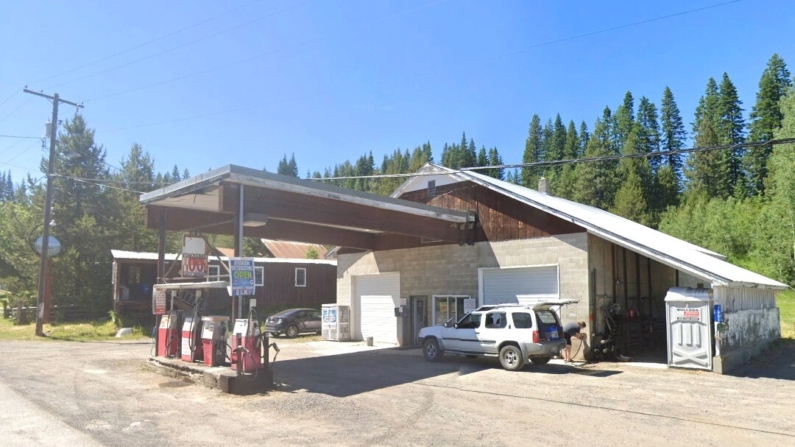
[654, 244]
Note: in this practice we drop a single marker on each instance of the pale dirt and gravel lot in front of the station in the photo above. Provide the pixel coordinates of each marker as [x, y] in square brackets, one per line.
[346, 394]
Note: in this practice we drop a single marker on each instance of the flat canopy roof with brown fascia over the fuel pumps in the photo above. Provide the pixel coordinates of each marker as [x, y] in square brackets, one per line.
[287, 208]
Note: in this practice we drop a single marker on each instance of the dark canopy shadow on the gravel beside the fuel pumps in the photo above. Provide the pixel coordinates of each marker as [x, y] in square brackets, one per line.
[345, 375]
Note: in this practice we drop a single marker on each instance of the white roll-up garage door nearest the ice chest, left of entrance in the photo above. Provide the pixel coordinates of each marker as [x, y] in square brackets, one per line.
[377, 296]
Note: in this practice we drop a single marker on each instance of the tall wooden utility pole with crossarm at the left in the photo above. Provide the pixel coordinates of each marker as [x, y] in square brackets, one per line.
[45, 242]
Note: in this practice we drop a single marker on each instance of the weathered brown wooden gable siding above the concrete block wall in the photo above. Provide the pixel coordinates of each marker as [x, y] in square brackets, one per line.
[499, 217]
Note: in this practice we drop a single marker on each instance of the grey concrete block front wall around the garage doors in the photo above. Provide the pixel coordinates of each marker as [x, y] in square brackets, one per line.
[453, 269]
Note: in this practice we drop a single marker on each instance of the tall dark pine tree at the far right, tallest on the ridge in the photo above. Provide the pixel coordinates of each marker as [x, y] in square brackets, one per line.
[766, 117]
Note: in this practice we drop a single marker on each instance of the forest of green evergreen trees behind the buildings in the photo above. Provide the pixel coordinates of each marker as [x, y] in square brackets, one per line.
[738, 201]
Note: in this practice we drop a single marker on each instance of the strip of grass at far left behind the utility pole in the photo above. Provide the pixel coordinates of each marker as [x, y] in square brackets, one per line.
[88, 331]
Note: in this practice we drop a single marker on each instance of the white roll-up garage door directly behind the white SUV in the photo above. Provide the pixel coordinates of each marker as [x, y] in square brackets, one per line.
[525, 285]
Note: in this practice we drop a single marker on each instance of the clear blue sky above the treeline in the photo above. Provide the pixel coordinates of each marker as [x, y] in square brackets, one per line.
[330, 80]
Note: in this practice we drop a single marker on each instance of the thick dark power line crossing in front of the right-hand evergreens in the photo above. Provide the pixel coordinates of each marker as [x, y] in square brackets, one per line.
[773, 142]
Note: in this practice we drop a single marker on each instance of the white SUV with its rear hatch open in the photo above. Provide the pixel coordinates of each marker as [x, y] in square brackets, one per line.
[515, 333]
